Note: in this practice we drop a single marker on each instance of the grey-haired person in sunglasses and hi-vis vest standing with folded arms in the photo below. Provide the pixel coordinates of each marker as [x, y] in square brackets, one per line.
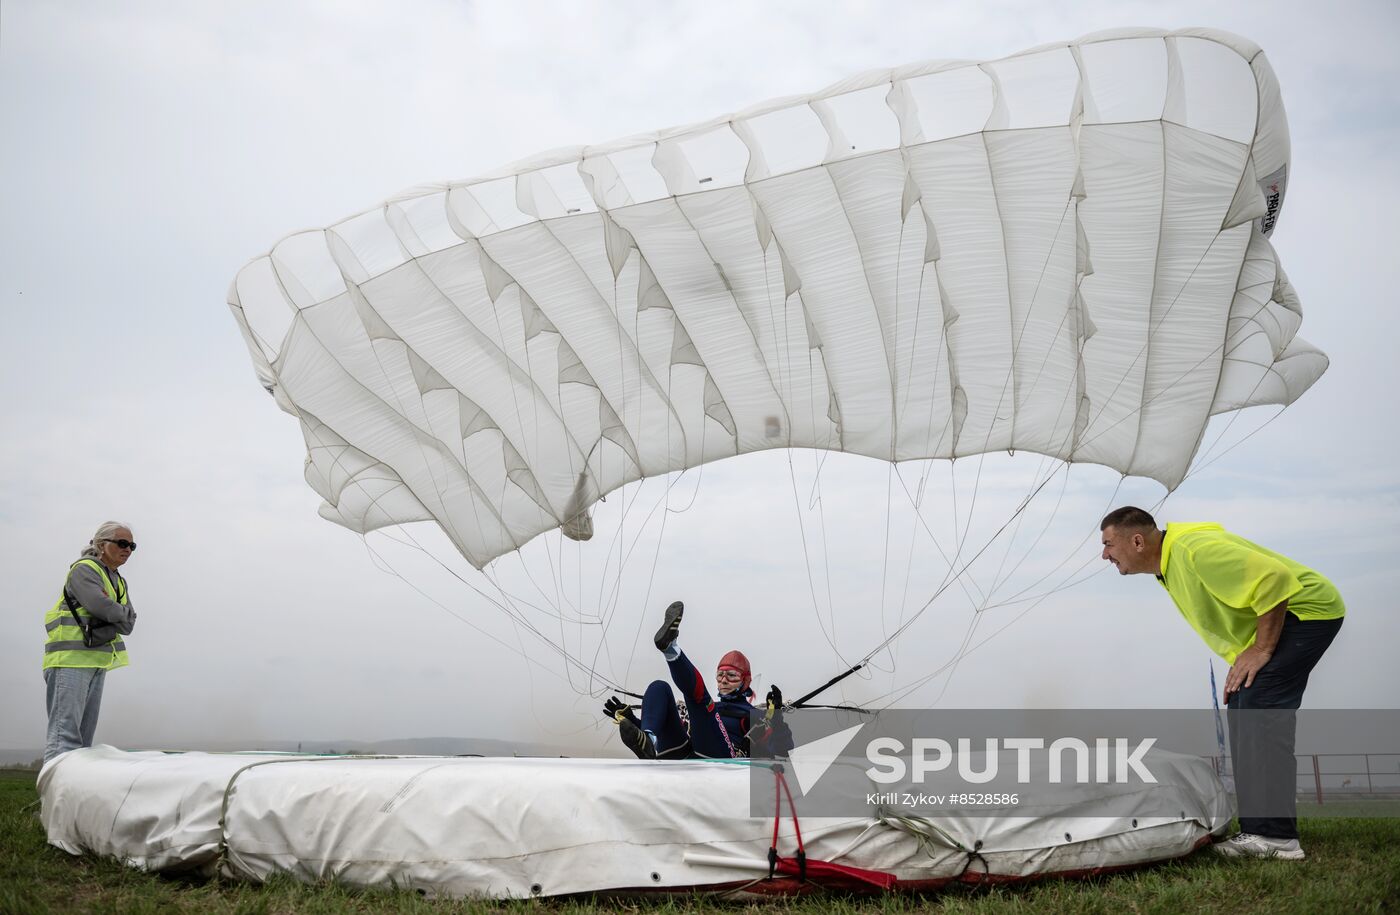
[86, 629]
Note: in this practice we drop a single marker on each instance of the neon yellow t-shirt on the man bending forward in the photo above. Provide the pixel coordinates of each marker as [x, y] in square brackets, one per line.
[1223, 584]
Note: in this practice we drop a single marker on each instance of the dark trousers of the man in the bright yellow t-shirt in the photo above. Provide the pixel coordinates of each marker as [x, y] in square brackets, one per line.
[1263, 724]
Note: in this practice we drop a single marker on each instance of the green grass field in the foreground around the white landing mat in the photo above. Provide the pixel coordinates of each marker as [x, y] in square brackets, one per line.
[1353, 867]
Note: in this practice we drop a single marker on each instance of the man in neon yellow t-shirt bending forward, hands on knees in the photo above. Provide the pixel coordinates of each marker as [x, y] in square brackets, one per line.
[1270, 619]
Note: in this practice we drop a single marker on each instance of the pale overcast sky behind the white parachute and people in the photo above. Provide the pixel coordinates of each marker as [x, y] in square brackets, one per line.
[152, 149]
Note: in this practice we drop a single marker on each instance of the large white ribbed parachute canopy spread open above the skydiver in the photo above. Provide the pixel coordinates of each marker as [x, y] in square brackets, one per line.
[1065, 253]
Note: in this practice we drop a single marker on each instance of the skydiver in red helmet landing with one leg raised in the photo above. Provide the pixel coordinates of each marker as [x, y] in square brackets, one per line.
[726, 728]
